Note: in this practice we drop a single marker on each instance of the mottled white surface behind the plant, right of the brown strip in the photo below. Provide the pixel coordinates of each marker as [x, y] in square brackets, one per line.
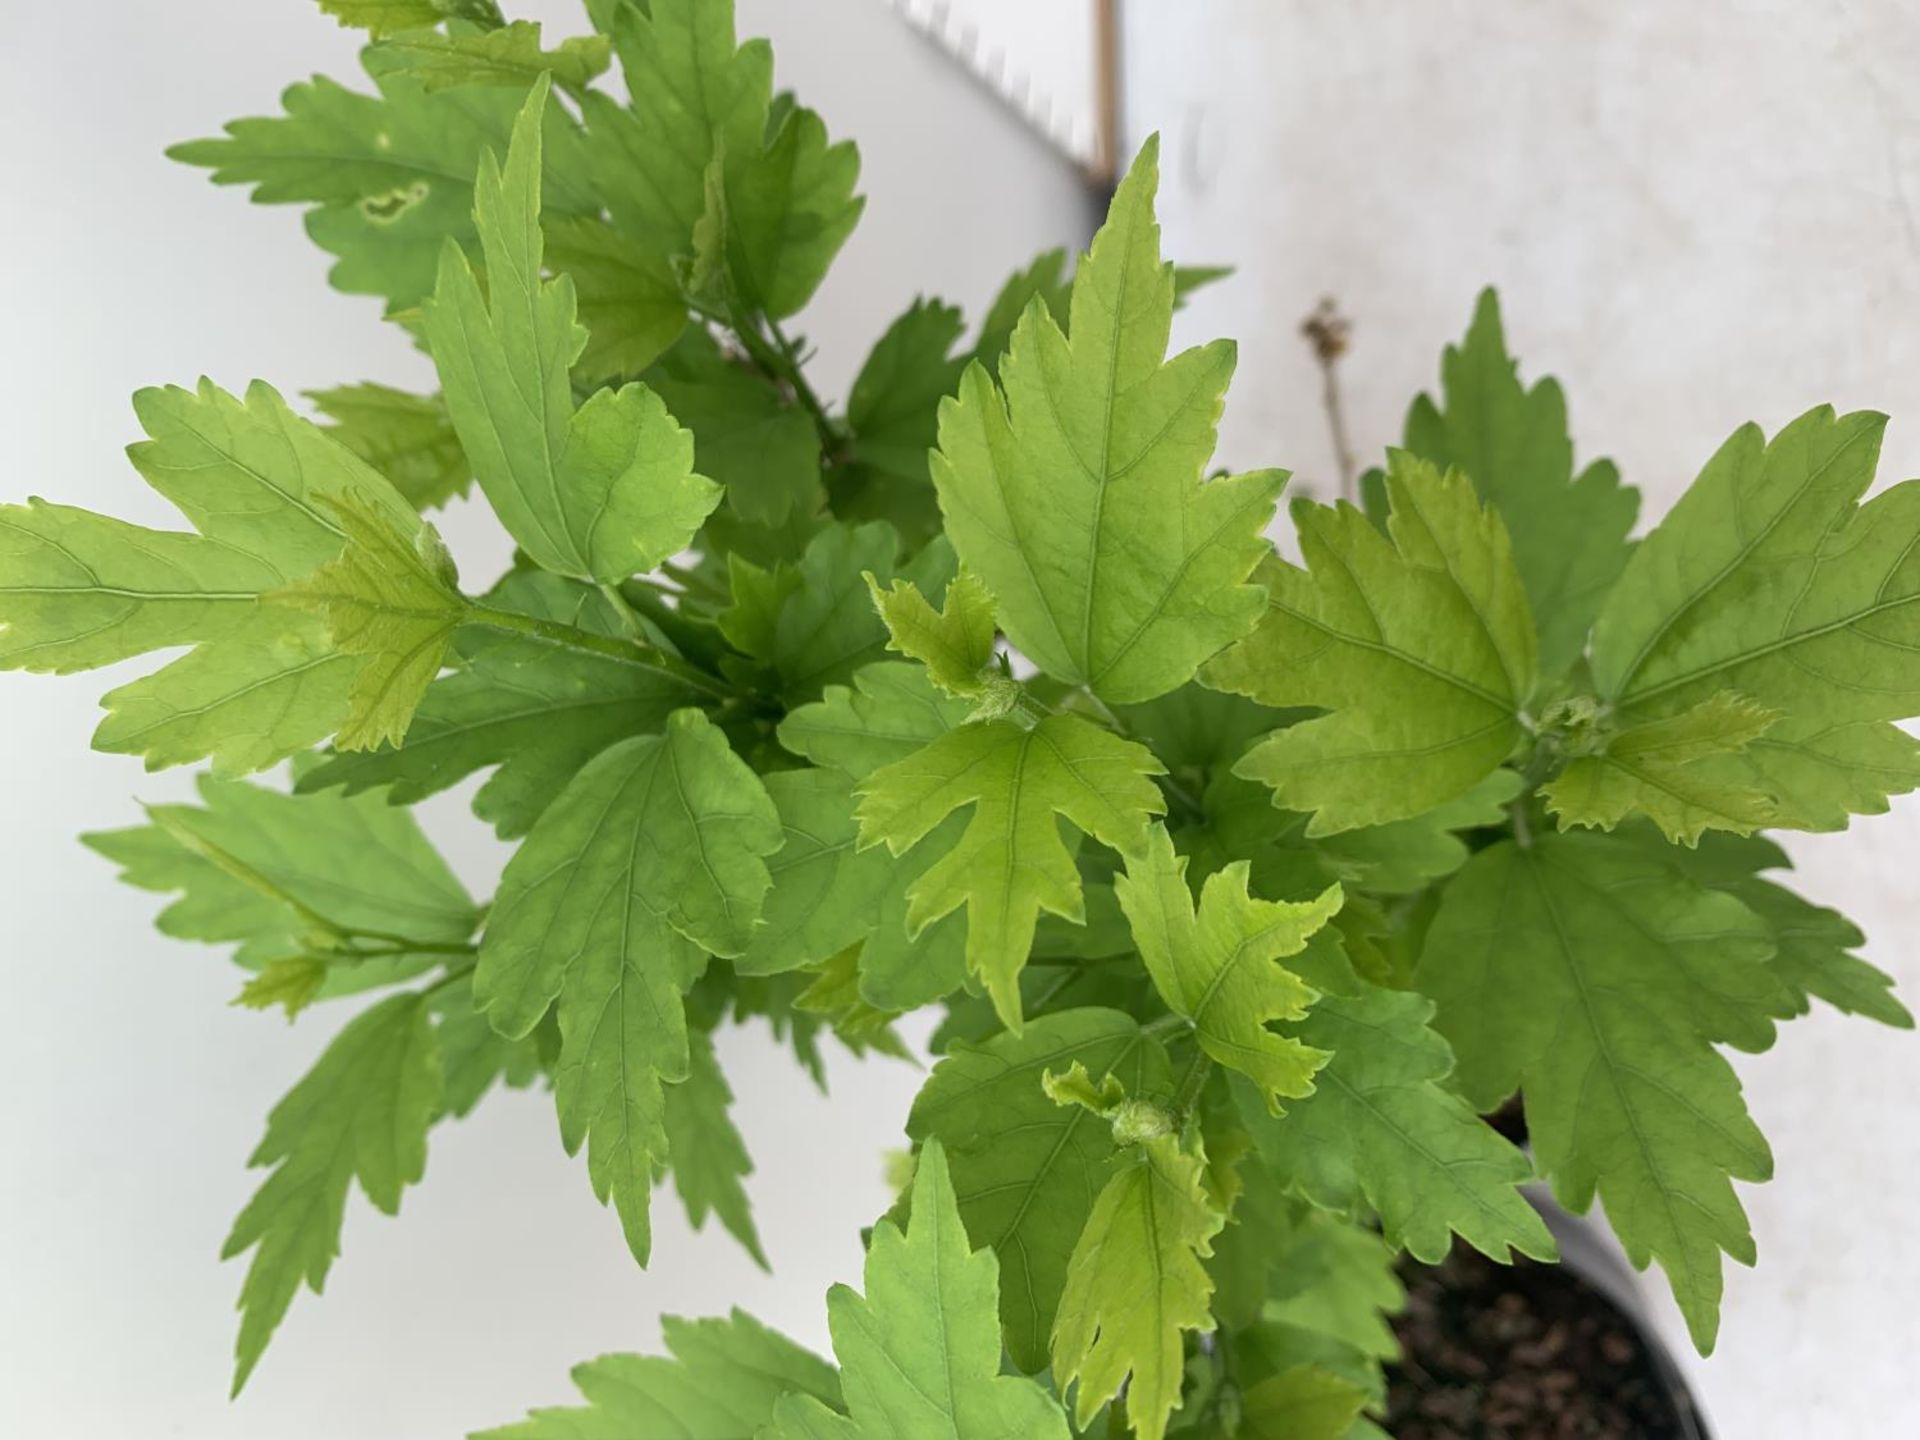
[1696, 214]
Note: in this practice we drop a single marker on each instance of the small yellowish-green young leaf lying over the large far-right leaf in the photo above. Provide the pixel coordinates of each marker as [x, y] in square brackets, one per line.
[1652, 769]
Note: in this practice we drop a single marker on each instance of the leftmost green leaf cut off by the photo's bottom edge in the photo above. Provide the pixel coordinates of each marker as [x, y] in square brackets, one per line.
[723, 1381]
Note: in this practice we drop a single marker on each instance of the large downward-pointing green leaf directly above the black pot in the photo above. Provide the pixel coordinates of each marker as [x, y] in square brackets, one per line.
[1598, 980]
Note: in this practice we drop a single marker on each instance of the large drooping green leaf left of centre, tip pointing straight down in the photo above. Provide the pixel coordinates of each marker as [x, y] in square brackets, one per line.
[650, 859]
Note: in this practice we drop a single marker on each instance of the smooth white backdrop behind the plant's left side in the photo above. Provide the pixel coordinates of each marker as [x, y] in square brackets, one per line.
[130, 1092]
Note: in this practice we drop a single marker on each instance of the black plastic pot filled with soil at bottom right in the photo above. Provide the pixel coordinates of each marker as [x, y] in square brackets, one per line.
[1585, 1316]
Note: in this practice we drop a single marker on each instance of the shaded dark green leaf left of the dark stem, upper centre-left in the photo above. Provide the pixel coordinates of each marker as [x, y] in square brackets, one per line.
[746, 435]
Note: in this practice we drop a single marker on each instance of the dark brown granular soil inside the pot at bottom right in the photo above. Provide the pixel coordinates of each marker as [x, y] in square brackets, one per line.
[1522, 1353]
